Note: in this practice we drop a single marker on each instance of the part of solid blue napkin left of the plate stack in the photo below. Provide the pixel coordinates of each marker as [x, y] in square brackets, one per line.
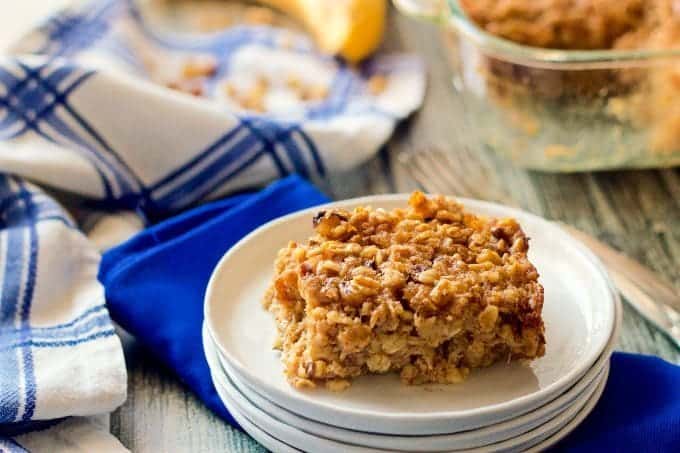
[155, 282]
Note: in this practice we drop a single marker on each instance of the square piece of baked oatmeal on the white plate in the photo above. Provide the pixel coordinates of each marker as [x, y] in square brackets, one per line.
[430, 291]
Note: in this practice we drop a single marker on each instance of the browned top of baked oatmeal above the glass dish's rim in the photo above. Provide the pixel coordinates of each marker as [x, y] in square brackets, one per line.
[580, 24]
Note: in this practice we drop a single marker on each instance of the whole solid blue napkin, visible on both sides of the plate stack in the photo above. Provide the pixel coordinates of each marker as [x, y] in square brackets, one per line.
[155, 284]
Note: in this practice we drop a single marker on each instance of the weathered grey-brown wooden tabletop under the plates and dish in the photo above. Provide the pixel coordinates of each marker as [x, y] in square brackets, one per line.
[635, 211]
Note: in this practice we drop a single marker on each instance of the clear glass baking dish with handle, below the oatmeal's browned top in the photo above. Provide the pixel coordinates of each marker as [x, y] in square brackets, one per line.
[560, 110]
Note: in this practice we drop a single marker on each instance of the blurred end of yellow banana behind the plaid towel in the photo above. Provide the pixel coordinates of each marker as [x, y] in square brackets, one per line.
[351, 28]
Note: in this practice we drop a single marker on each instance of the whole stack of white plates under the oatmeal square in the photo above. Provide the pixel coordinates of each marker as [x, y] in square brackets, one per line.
[506, 407]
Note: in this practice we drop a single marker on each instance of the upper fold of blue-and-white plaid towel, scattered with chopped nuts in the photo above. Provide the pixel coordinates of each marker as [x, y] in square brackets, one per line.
[82, 109]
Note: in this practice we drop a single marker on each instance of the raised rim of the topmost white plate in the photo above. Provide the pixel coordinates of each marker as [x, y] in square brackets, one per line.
[470, 204]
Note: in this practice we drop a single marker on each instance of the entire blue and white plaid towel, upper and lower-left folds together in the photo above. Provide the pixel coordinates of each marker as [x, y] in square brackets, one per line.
[80, 113]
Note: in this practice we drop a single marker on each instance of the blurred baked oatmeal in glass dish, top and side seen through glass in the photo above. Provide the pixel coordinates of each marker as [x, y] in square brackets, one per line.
[636, 95]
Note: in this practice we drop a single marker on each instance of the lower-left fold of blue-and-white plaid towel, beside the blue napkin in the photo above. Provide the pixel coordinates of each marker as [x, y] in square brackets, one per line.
[59, 354]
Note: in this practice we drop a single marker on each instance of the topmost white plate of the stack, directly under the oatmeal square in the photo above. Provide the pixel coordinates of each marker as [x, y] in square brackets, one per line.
[578, 312]
